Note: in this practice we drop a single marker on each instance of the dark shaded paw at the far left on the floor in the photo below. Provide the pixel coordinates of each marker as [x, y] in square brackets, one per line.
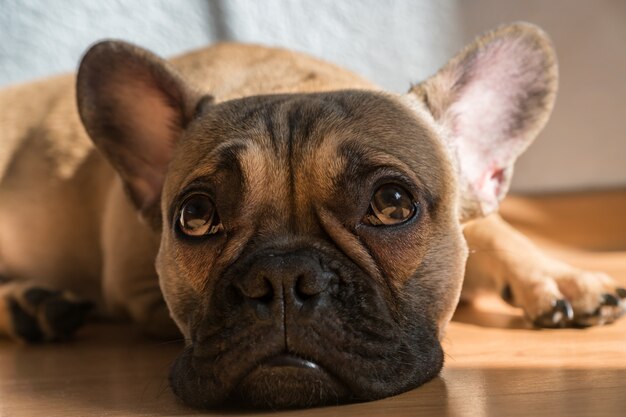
[41, 315]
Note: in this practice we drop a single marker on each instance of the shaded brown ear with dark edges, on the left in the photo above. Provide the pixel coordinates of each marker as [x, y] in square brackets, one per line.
[134, 106]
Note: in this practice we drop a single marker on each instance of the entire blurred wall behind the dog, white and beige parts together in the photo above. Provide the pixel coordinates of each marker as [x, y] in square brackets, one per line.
[393, 42]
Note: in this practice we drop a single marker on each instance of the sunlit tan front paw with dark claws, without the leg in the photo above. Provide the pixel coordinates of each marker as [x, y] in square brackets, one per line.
[569, 298]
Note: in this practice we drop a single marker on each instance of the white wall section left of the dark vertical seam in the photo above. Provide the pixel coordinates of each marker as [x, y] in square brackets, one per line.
[43, 37]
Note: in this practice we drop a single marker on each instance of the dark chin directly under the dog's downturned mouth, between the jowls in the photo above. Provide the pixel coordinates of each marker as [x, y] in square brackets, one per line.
[289, 382]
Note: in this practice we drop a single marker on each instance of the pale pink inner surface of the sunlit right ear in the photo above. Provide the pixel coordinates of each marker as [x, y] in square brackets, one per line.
[488, 116]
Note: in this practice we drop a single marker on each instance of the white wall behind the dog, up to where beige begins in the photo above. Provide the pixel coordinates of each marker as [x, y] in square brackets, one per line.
[393, 42]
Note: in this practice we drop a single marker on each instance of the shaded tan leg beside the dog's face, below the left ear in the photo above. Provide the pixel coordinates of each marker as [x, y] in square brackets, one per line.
[130, 282]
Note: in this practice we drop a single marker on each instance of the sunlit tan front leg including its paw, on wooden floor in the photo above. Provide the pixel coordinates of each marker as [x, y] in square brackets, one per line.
[551, 293]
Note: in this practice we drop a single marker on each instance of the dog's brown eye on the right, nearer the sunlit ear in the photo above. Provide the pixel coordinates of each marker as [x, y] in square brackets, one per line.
[391, 204]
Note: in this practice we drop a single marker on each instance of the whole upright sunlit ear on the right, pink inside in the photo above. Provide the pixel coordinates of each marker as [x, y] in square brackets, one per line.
[492, 99]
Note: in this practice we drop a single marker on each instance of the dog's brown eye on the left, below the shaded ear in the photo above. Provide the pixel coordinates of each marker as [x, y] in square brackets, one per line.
[198, 216]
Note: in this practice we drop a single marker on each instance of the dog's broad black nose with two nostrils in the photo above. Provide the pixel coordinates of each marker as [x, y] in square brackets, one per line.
[292, 278]
